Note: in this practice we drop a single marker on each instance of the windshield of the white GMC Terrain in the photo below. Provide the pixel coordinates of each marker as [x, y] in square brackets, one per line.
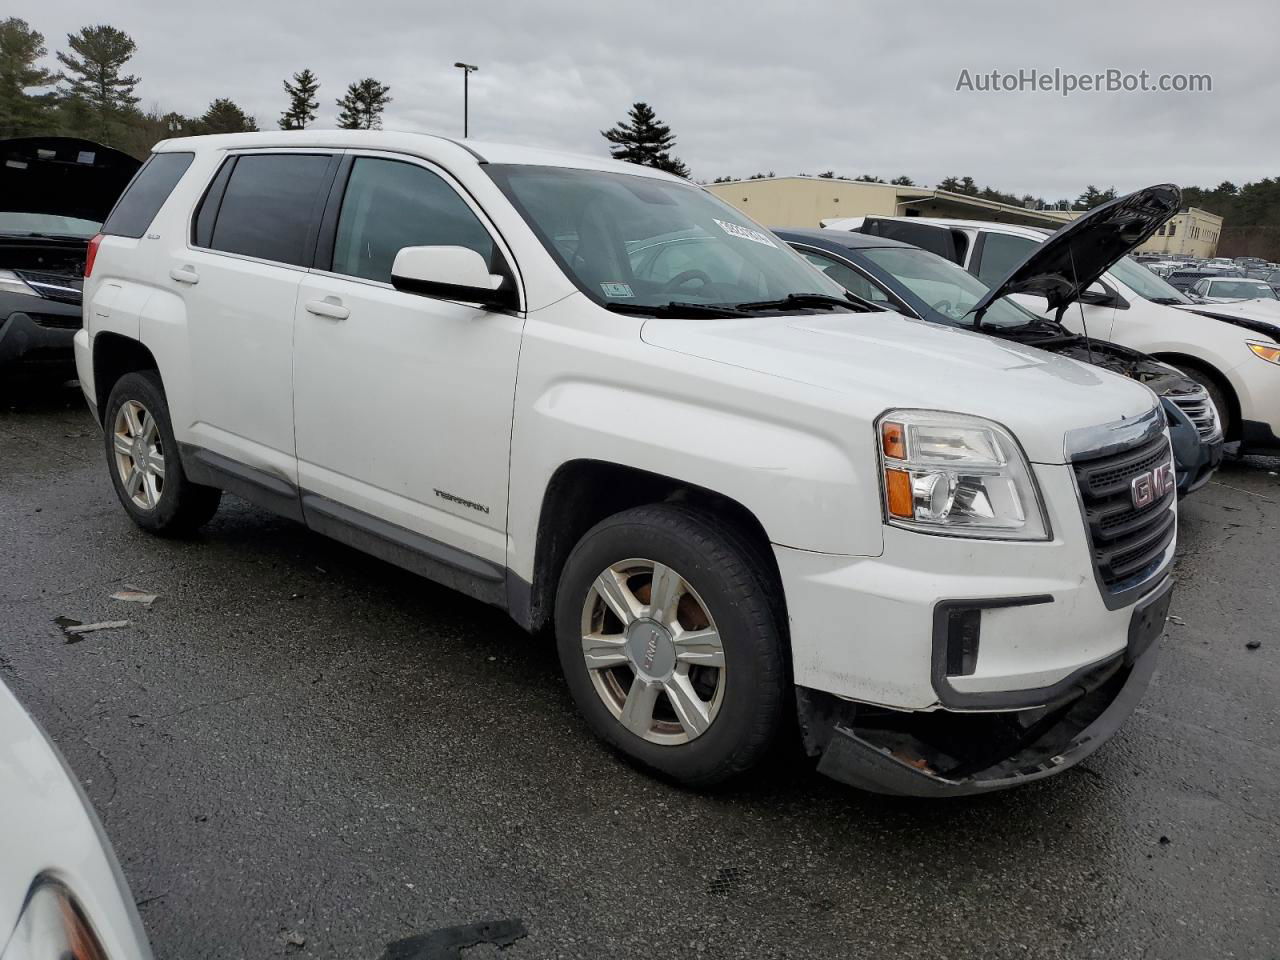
[633, 241]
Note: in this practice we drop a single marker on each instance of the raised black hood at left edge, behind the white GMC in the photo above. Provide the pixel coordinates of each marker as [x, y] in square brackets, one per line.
[63, 177]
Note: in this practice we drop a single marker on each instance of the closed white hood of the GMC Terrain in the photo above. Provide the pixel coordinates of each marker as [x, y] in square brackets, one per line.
[875, 362]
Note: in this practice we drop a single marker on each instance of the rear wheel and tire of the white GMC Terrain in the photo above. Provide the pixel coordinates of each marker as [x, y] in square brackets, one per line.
[144, 461]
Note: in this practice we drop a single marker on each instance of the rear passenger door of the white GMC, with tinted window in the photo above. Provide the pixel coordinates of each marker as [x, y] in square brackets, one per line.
[253, 240]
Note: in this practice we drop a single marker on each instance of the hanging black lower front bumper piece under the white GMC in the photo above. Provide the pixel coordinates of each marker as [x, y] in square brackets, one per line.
[947, 753]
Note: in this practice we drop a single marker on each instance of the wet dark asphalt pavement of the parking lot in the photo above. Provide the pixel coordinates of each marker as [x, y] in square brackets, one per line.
[299, 751]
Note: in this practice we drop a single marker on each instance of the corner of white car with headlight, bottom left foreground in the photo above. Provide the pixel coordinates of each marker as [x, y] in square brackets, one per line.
[62, 893]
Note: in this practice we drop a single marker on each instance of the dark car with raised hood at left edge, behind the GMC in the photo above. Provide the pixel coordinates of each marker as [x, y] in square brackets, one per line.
[54, 195]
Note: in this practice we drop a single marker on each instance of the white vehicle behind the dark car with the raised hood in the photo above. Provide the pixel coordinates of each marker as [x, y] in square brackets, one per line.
[1233, 350]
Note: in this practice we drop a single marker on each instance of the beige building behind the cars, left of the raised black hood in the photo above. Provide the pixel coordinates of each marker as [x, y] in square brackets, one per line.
[806, 202]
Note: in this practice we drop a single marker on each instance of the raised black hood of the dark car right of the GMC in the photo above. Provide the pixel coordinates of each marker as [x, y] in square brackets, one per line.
[1078, 254]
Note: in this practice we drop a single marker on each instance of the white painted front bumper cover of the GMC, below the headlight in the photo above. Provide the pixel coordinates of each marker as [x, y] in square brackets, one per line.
[863, 628]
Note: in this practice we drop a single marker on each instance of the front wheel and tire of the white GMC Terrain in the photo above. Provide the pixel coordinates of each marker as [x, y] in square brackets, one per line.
[673, 646]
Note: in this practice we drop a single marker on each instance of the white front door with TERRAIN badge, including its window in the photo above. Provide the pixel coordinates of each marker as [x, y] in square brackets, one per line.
[404, 403]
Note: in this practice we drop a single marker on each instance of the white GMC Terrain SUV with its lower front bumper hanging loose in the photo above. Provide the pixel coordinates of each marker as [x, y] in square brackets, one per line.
[733, 493]
